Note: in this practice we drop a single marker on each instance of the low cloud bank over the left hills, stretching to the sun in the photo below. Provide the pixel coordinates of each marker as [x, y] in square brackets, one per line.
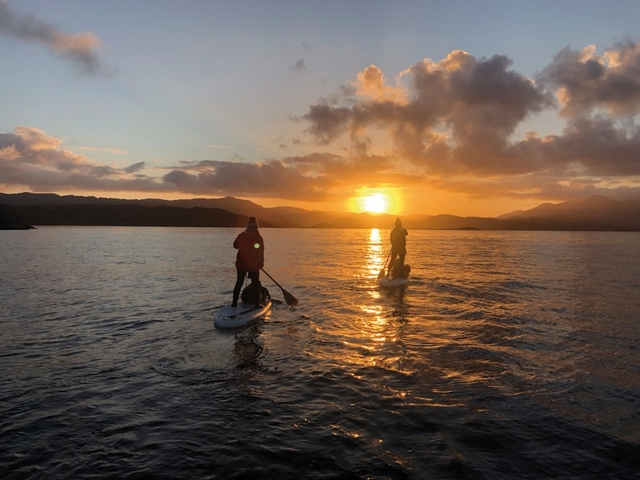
[34, 160]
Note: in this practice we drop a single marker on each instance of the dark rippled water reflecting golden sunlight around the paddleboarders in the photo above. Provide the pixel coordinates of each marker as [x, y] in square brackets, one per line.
[509, 355]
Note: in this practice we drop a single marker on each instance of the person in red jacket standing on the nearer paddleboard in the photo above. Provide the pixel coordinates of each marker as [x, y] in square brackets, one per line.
[249, 261]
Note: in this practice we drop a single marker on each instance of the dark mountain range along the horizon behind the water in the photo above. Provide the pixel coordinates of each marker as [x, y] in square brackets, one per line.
[24, 209]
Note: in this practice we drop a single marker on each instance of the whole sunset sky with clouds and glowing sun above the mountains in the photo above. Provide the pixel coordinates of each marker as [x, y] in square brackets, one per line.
[427, 107]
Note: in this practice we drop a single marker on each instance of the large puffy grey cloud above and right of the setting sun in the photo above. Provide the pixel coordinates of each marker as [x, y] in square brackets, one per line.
[479, 103]
